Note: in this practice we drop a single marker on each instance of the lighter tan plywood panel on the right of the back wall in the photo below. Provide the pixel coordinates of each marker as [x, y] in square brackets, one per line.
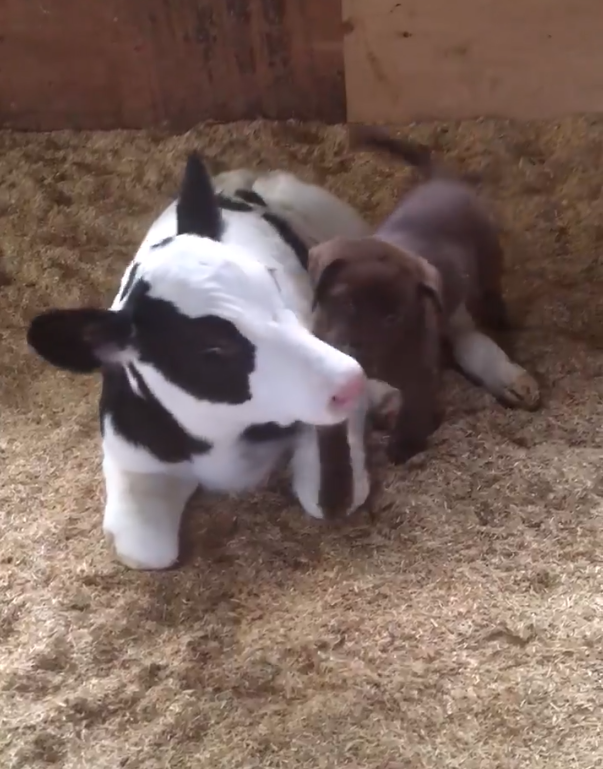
[422, 59]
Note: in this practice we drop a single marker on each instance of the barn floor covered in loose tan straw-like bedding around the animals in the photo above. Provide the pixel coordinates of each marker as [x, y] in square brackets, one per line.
[462, 629]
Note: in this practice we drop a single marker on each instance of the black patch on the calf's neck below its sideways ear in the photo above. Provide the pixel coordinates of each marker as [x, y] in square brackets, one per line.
[143, 421]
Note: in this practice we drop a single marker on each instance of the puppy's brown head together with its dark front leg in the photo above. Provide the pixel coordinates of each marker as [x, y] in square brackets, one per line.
[384, 307]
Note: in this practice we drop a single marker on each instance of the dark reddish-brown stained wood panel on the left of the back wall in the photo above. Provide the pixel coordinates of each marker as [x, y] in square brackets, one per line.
[172, 63]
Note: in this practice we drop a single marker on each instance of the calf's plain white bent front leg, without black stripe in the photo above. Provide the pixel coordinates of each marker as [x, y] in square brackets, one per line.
[142, 516]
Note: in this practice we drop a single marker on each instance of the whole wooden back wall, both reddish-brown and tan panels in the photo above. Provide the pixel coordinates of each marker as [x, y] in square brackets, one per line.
[172, 63]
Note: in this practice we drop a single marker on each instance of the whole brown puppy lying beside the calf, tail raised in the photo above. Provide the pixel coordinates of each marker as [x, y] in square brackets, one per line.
[429, 276]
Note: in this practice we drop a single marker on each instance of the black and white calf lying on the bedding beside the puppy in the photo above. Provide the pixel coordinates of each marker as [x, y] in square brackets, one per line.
[208, 367]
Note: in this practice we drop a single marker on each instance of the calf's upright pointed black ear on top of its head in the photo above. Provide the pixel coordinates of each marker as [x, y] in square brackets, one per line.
[197, 209]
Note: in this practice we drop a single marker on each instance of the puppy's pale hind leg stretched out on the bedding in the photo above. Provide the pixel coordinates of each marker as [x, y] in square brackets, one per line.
[483, 361]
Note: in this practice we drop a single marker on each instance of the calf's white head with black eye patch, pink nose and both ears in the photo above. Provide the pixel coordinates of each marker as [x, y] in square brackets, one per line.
[203, 325]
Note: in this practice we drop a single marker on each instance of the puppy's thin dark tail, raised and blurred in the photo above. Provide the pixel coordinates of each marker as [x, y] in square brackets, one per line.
[415, 154]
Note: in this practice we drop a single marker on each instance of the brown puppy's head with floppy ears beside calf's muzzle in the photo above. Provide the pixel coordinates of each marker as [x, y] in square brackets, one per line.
[375, 302]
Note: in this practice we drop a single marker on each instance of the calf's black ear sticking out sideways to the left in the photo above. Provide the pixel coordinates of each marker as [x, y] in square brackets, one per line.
[79, 340]
